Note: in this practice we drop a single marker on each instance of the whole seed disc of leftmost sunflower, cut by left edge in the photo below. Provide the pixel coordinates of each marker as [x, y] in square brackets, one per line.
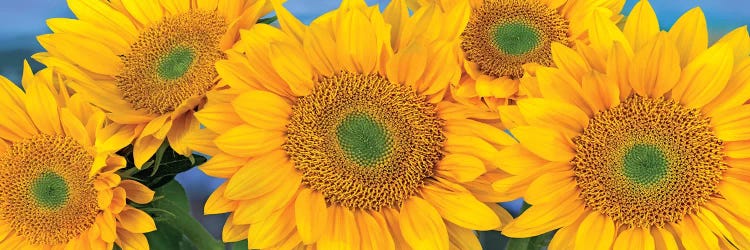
[47, 195]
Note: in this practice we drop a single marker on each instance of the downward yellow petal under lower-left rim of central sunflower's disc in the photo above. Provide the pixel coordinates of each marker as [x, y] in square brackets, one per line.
[311, 213]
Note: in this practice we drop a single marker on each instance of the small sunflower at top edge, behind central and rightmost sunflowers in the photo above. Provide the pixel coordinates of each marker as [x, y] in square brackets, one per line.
[501, 41]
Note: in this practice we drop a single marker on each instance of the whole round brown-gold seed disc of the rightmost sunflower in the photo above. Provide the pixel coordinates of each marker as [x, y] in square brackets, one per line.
[648, 162]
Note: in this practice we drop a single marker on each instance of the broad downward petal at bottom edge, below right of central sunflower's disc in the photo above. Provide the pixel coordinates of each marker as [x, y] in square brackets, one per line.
[422, 226]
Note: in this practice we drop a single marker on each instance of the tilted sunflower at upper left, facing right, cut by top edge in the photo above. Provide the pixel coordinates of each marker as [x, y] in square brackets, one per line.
[147, 63]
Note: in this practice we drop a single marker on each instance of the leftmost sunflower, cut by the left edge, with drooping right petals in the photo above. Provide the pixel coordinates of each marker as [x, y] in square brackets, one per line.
[58, 186]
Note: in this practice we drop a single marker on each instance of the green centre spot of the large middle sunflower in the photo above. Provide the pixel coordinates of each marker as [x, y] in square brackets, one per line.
[363, 139]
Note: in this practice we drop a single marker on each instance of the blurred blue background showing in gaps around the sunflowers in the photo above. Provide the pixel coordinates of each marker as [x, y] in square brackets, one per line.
[22, 21]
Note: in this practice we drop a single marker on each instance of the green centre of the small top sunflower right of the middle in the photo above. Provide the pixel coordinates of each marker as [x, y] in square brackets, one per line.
[515, 38]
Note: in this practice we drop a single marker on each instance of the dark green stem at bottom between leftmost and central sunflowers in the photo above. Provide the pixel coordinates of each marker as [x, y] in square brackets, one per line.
[193, 230]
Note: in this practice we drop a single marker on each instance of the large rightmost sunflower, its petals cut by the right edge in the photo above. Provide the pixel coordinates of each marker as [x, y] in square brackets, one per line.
[639, 139]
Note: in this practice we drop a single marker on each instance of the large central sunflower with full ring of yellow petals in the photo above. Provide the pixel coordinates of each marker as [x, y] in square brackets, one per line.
[336, 136]
